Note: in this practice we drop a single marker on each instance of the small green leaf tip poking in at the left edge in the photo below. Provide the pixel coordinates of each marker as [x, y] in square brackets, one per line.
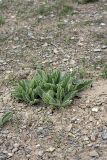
[5, 118]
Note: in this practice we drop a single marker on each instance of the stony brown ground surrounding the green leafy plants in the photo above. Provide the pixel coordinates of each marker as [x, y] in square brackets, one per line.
[29, 40]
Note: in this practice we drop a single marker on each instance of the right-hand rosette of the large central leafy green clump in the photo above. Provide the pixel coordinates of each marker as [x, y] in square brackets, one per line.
[64, 89]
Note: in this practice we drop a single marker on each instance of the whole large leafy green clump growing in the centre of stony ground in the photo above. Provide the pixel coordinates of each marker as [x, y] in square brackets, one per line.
[55, 88]
